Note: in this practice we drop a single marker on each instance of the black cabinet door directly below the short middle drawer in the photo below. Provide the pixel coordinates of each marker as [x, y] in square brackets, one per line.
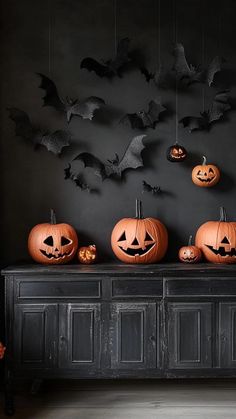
[133, 336]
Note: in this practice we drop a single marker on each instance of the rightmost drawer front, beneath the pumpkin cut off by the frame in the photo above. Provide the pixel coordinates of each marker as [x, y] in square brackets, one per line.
[200, 286]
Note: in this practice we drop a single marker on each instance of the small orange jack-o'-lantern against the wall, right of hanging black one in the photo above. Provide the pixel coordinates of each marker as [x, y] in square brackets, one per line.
[205, 175]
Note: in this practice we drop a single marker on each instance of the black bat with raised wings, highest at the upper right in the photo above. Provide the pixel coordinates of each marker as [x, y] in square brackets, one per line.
[191, 74]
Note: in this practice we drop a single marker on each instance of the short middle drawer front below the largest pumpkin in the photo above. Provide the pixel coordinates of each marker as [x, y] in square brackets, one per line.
[137, 288]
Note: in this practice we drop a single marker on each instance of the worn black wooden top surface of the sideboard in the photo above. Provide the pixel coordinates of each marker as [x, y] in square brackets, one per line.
[118, 269]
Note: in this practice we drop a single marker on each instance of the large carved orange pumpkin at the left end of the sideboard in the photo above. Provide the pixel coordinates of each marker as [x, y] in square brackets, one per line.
[52, 243]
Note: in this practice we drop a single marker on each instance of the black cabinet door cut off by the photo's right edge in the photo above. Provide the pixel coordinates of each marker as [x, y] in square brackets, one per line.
[227, 335]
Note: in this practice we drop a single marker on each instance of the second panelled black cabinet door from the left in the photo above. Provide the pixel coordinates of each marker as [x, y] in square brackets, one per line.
[80, 335]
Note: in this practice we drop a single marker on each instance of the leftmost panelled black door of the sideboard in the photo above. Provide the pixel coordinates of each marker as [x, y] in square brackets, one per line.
[35, 335]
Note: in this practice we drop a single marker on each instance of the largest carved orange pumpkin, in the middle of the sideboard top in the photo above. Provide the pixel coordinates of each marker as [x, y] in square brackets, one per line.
[139, 240]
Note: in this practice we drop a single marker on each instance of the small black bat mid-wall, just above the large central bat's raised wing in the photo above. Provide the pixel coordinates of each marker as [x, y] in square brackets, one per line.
[143, 119]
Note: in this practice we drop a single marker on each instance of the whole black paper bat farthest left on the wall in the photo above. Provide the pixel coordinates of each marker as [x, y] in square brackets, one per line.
[54, 141]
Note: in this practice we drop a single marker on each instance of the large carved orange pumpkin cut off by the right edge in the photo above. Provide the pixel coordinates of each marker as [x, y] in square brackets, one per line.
[217, 240]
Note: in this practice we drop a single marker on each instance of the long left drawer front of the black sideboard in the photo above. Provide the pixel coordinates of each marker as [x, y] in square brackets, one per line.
[58, 288]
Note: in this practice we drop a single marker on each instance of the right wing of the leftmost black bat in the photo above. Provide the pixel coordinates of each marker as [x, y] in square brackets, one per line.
[56, 141]
